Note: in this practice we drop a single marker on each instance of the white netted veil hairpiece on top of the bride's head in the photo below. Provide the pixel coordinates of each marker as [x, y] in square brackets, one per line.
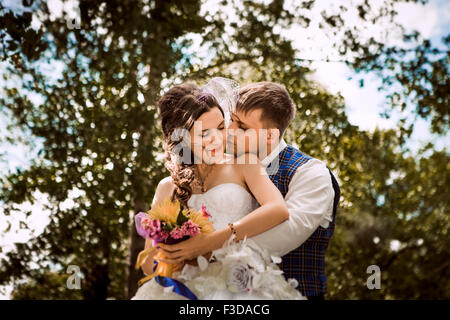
[226, 92]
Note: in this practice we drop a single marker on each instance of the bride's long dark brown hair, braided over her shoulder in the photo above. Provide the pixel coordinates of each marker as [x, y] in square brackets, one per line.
[179, 108]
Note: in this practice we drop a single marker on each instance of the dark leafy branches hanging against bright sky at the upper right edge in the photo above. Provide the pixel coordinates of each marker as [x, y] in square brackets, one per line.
[420, 73]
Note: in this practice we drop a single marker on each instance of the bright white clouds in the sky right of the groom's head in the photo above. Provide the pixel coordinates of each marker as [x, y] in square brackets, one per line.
[363, 105]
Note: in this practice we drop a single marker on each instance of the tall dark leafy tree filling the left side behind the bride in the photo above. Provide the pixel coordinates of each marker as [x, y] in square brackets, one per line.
[99, 128]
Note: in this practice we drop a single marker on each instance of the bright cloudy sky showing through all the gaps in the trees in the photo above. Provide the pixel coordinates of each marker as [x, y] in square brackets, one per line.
[363, 105]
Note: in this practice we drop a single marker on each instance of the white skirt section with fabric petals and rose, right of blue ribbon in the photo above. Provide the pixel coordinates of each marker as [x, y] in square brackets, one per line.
[245, 269]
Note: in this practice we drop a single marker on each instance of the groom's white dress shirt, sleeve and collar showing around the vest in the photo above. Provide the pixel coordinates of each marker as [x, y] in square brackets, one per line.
[310, 204]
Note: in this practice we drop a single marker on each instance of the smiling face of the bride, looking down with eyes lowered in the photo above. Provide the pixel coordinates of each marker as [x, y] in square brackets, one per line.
[208, 137]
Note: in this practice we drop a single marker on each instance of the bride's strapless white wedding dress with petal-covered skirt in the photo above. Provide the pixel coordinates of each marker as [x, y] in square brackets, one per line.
[240, 271]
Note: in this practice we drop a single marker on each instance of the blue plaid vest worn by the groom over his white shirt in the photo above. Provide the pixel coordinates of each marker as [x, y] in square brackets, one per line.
[306, 263]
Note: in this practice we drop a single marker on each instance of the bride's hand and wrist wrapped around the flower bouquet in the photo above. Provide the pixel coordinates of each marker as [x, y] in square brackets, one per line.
[201, 244]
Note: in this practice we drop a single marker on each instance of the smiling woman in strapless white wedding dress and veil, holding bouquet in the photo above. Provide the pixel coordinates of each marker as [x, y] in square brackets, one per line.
[237, 193]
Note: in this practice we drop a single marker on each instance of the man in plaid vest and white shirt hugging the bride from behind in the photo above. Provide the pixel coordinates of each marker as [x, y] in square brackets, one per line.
[310, 190]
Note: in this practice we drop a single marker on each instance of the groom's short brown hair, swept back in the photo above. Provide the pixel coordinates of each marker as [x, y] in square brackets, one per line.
[273, 98]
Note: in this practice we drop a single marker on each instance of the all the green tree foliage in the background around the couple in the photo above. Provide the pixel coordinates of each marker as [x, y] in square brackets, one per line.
[98, 123]
